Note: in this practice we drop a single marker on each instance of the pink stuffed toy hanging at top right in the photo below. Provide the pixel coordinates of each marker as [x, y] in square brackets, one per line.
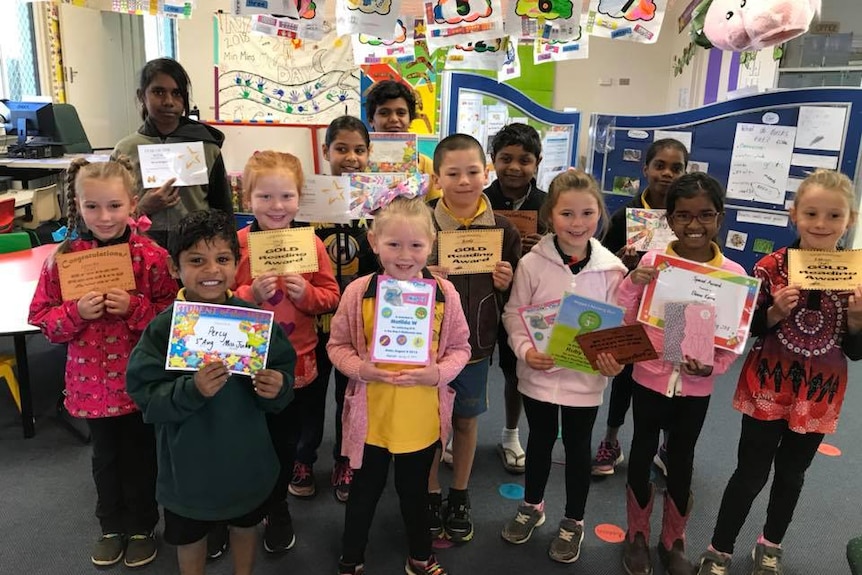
[740, 25]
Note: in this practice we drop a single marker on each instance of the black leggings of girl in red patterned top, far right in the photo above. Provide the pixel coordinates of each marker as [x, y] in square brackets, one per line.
[760, 444]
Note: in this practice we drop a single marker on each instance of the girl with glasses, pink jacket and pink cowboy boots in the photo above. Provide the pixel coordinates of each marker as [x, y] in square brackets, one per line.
[673, 395]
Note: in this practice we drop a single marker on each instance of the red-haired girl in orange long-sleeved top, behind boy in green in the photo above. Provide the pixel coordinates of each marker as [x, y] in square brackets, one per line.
[271, 184]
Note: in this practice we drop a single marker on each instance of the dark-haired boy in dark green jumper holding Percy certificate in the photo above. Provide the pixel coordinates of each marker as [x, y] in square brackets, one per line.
[217, 465]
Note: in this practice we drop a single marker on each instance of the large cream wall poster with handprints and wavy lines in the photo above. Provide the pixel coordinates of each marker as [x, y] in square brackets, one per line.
[270, 78]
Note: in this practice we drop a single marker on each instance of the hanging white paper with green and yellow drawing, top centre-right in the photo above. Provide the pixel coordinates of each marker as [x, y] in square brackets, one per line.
[548, 19]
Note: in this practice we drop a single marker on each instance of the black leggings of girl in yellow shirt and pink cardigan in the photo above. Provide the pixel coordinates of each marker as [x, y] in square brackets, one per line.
[411, 483]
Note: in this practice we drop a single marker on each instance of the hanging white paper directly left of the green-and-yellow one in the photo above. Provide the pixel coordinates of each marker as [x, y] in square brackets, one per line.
[450, 22]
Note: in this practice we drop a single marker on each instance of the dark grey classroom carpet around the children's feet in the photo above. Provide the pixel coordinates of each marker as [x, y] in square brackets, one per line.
[47, 499]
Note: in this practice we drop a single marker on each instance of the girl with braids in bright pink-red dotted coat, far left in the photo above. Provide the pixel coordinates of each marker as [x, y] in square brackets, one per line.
[101, 328]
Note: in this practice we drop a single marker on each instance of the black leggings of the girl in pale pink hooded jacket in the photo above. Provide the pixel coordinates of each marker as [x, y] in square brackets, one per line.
[577, 430]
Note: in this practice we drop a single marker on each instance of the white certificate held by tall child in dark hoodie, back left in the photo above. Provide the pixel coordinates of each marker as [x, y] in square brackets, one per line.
[184, 161]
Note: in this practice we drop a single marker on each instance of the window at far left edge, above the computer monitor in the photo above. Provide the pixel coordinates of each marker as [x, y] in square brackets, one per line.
[19, 75]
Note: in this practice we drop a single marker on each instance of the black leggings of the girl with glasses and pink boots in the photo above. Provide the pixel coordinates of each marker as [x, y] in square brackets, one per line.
[683, 417]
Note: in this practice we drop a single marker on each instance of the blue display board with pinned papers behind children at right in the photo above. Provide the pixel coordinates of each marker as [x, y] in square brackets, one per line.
[817, 127]
